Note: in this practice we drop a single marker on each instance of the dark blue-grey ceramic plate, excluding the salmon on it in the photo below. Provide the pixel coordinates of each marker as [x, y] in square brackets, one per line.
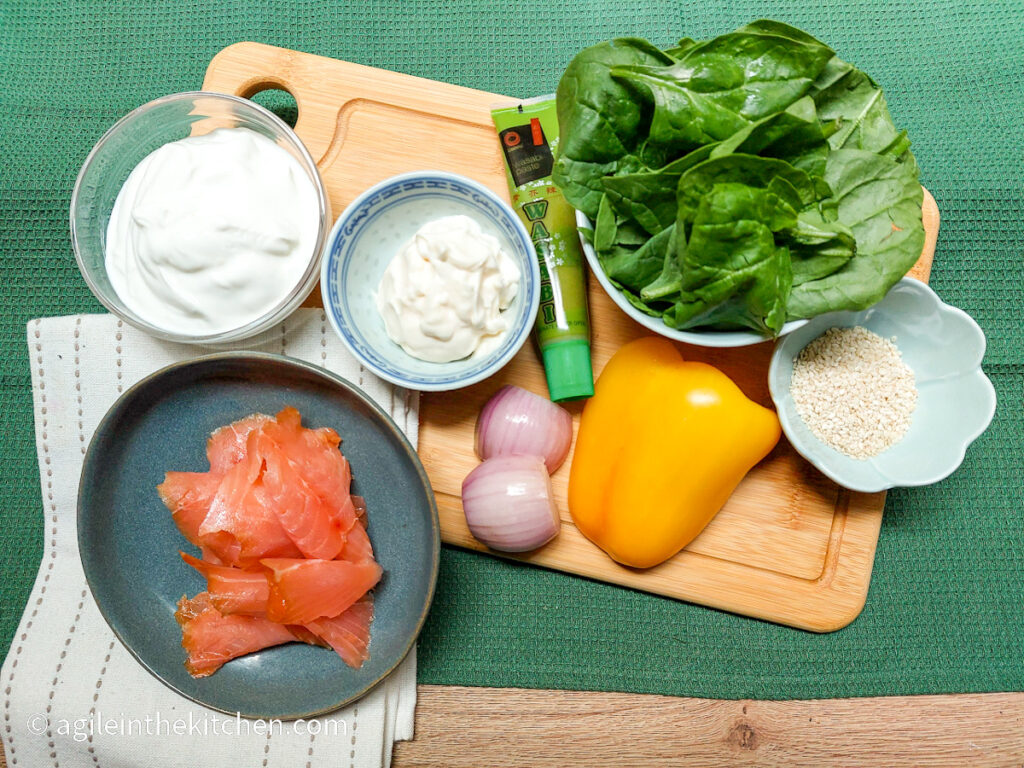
[130, 545]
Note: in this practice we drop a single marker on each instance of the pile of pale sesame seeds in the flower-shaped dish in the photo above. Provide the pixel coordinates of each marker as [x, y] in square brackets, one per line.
[855, 392]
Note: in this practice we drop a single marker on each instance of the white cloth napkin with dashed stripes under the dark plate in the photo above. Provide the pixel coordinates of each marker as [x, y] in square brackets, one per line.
[73, 696]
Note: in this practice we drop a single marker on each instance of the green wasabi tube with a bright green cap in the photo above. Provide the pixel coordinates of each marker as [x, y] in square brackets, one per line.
[529, 137]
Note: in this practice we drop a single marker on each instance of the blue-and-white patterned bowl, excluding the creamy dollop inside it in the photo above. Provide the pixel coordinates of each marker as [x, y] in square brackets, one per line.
[366, 238]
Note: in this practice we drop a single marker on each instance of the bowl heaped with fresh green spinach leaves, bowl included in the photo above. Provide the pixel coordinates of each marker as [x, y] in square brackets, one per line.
[732, 189]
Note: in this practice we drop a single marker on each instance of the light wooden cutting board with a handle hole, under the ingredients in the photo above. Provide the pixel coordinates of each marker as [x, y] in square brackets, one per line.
[790, 546]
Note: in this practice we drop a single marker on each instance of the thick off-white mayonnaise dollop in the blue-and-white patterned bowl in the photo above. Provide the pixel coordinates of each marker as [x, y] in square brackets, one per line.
[443, 294]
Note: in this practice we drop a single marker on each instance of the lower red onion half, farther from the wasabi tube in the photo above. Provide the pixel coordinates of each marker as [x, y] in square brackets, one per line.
[509, 504]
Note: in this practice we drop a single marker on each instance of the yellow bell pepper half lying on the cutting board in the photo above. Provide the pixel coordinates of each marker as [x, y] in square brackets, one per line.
[662, 446]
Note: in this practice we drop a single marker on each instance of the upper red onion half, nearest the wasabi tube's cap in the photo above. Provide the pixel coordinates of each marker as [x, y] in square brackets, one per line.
[516, 422]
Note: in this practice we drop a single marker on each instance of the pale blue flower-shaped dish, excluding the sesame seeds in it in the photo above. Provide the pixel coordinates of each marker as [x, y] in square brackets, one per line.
[956, 401]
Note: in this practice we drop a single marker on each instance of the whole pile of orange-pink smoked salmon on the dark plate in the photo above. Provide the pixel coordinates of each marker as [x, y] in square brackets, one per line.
[285, 549]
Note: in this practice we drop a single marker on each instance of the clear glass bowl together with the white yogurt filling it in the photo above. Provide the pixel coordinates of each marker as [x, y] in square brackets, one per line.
[201, 219]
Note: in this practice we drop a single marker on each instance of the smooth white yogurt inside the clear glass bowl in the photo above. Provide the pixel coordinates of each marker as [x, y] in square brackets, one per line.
[211, 233]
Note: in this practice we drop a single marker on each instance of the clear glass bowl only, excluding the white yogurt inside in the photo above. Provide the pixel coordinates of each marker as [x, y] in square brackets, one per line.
[127, 144]
